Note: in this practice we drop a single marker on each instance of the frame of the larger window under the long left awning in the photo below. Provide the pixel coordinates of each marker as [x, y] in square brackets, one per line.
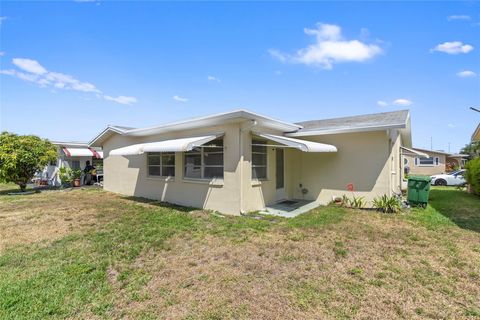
[201, 151]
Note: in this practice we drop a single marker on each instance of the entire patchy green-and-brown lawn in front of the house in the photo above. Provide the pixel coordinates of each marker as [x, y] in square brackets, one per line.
[92, 254]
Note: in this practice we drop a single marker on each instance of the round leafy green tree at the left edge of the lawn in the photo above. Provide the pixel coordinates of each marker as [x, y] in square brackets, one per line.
[22, 156]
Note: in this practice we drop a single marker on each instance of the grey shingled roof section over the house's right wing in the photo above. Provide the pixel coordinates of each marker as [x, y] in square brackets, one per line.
[368, 122]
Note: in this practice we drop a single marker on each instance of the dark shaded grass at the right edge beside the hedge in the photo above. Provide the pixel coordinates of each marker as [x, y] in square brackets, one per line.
[460, 207]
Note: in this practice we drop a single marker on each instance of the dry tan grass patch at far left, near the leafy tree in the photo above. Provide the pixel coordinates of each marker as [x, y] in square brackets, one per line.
[51, 215]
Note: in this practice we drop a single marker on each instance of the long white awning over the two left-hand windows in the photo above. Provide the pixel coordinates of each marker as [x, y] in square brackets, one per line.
[174, 145]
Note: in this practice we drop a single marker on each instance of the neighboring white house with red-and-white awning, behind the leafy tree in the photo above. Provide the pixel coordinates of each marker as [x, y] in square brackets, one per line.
[72, 155]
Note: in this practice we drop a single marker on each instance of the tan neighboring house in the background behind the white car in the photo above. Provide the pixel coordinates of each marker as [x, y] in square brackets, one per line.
[431, 162]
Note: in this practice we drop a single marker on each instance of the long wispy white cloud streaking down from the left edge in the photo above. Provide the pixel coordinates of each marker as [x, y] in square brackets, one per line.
[33, 71]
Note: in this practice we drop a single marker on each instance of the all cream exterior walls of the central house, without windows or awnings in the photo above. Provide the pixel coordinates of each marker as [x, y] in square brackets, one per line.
[370, 160]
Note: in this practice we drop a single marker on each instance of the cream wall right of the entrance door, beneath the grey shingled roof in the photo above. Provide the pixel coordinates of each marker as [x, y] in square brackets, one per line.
[366, 160]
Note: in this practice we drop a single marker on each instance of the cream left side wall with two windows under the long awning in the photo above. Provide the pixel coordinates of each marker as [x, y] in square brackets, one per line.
[128, 174]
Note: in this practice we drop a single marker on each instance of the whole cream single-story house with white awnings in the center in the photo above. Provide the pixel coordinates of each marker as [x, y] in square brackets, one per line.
[240, 161]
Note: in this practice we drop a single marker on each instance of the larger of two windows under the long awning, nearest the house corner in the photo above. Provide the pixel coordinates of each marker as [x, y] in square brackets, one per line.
[205, 162]
